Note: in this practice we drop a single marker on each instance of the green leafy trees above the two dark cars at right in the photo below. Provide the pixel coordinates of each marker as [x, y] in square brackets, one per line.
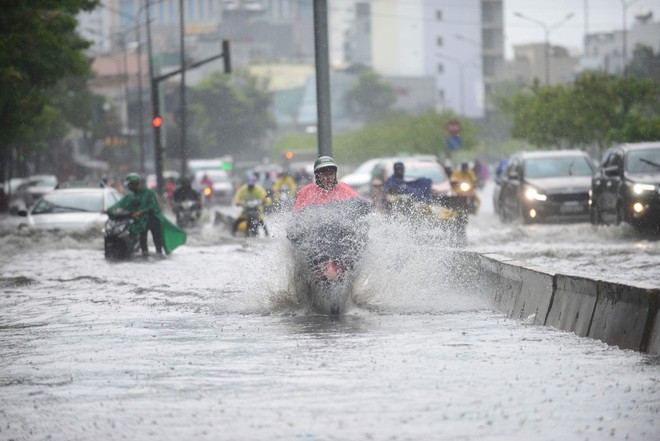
[597, 109]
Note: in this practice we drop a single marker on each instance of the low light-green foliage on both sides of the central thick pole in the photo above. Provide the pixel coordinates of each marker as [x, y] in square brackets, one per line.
[414, 134]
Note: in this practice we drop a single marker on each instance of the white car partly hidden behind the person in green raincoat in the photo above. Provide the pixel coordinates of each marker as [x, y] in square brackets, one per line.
[72, 209]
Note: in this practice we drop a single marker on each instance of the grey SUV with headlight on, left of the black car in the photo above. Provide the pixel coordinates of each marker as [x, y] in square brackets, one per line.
[545, 186]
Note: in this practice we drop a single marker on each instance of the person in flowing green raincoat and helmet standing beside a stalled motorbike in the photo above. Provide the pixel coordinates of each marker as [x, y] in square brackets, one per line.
[142, 204]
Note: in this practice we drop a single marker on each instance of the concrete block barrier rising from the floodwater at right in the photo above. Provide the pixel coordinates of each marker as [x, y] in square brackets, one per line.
[620, 315]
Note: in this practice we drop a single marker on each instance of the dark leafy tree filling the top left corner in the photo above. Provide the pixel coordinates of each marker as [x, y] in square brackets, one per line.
[38, 47]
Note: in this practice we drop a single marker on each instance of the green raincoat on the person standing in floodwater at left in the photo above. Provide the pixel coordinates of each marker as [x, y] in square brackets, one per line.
[146, 201]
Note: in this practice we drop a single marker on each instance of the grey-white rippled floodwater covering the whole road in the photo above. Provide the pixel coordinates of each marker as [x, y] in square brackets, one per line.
[212, 344]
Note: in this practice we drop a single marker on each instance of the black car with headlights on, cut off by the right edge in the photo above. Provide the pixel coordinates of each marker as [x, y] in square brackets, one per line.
[626, 187]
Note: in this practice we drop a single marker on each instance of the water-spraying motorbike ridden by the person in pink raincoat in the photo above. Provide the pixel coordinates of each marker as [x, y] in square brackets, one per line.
[328, 244]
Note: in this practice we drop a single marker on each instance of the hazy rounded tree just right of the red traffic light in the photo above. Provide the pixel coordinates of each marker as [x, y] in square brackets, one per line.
[232, 114]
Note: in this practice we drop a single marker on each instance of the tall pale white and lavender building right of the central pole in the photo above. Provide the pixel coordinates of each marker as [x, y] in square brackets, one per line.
[460, 44]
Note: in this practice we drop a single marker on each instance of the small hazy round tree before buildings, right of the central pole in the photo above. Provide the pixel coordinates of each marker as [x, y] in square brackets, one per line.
[371, 98]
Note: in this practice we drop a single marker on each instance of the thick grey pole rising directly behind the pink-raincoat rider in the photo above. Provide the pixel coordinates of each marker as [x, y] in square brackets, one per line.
[324, 116]
